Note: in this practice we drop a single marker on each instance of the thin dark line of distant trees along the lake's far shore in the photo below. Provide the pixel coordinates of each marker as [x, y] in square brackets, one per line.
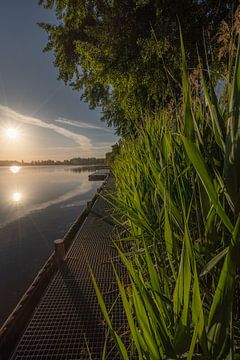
[74, 161]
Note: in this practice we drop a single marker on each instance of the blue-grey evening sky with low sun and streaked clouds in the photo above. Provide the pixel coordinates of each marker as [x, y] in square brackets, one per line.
[50, 120]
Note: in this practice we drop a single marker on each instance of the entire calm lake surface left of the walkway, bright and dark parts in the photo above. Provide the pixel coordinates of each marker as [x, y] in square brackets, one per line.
[37, 205]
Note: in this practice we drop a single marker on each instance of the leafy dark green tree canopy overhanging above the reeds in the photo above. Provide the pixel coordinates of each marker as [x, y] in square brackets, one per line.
[123, 55]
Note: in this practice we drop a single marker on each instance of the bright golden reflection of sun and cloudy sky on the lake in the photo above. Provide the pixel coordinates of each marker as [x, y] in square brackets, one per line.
[39, 188]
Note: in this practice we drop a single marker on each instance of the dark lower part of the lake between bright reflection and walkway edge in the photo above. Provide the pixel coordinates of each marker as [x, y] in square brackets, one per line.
[26, 243]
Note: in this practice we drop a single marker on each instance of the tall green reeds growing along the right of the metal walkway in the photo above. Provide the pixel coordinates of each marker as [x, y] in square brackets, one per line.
[178, 197]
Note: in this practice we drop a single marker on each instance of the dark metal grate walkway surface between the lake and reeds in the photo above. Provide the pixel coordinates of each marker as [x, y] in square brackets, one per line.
[67, 322]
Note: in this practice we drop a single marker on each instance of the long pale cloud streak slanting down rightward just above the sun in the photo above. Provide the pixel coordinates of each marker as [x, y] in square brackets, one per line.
[83, 141]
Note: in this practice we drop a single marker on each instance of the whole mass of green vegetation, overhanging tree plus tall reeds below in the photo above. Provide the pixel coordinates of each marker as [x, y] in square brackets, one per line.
[177, 172]
